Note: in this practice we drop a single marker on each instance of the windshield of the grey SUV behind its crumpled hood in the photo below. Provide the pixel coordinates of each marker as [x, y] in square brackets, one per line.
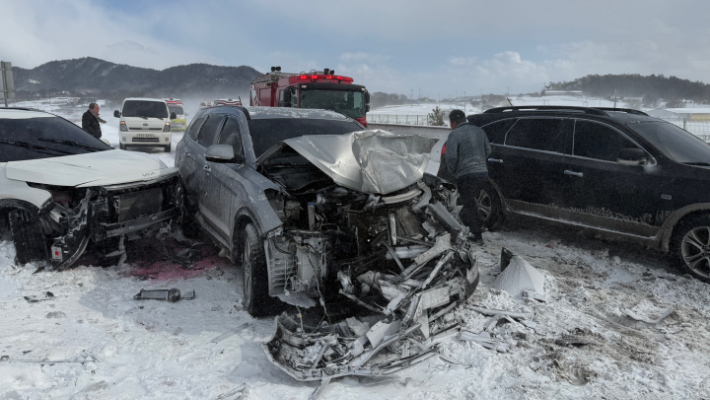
[267, 132]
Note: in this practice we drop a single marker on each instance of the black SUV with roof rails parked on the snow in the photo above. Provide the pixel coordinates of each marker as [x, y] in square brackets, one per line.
[616, 171]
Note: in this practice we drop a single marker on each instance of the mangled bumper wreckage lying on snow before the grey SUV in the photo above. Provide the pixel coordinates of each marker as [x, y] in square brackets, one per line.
[389, 339]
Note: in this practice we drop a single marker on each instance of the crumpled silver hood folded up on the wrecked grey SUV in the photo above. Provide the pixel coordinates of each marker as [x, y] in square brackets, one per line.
[372, 161]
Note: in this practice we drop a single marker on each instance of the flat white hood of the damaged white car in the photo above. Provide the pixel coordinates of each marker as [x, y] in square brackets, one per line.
[91, 169]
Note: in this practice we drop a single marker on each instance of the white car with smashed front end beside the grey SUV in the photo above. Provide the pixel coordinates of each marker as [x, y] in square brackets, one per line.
[61, 189]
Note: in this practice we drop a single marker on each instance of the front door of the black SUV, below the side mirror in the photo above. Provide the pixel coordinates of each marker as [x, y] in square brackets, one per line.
[606, 193]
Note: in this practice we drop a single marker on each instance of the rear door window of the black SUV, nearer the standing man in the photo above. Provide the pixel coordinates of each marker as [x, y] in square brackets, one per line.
[538, 134]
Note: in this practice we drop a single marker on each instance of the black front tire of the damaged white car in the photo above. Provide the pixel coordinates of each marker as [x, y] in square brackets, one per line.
[30, 242]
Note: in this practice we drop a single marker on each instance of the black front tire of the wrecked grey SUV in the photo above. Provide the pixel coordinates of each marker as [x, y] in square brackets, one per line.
[256, 286]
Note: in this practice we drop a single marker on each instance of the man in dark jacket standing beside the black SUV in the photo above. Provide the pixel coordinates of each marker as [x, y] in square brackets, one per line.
[467, 149]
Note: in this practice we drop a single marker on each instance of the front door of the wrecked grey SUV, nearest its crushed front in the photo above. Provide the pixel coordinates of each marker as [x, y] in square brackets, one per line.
[228, 194]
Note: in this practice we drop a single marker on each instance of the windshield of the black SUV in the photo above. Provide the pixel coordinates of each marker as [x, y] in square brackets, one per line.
[674, 142]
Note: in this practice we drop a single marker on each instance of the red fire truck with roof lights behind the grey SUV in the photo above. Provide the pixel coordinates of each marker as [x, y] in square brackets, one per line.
[315, 89]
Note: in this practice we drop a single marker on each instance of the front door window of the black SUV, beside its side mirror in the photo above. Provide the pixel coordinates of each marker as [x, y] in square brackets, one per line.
[593, 140]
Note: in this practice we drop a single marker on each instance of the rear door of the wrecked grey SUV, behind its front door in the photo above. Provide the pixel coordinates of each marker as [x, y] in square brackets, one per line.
[205, 138]
